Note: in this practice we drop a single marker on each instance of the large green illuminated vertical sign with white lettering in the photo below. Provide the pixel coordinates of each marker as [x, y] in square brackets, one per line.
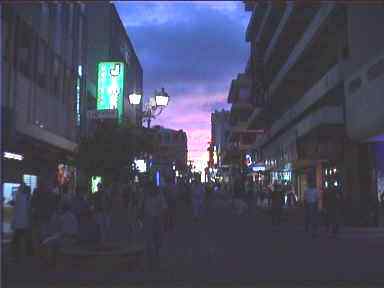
[110, 87]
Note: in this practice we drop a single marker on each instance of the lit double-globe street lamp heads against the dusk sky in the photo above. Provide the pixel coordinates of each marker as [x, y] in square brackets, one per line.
[153, 107]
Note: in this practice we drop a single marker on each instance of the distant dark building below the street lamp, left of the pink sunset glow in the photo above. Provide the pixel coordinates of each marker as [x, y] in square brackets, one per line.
[172, 152]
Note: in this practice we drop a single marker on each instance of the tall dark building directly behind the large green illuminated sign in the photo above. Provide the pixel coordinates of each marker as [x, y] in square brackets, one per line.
[108, 41]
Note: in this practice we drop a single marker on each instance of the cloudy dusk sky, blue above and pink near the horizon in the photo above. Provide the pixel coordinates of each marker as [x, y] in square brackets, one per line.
[192, 49]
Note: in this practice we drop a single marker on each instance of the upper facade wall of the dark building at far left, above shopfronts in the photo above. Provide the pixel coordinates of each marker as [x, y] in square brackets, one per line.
[35, 105]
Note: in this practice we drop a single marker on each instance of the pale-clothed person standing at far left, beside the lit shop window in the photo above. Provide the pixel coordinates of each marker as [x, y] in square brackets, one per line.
[21, 222]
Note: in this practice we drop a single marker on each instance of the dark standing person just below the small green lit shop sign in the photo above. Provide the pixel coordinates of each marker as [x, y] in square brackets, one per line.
[103, 206]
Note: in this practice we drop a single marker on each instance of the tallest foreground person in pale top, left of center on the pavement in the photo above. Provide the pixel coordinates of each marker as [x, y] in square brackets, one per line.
[153, 209]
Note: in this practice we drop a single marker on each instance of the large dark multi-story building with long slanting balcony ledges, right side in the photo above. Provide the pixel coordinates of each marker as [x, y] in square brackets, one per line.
[316, 73]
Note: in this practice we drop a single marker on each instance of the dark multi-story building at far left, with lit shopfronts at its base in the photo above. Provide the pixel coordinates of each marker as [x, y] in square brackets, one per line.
[42, 59]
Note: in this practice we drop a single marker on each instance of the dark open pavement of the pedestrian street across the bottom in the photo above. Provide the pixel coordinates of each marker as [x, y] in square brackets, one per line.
[226, 247]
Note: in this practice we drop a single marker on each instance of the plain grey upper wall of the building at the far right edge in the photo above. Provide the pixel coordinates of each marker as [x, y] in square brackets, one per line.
[364, 106]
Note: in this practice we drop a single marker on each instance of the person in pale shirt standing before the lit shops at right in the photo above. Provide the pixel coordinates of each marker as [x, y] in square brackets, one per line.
[311, 196]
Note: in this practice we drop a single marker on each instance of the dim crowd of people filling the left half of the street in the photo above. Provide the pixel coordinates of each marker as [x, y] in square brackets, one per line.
[50, 219]
